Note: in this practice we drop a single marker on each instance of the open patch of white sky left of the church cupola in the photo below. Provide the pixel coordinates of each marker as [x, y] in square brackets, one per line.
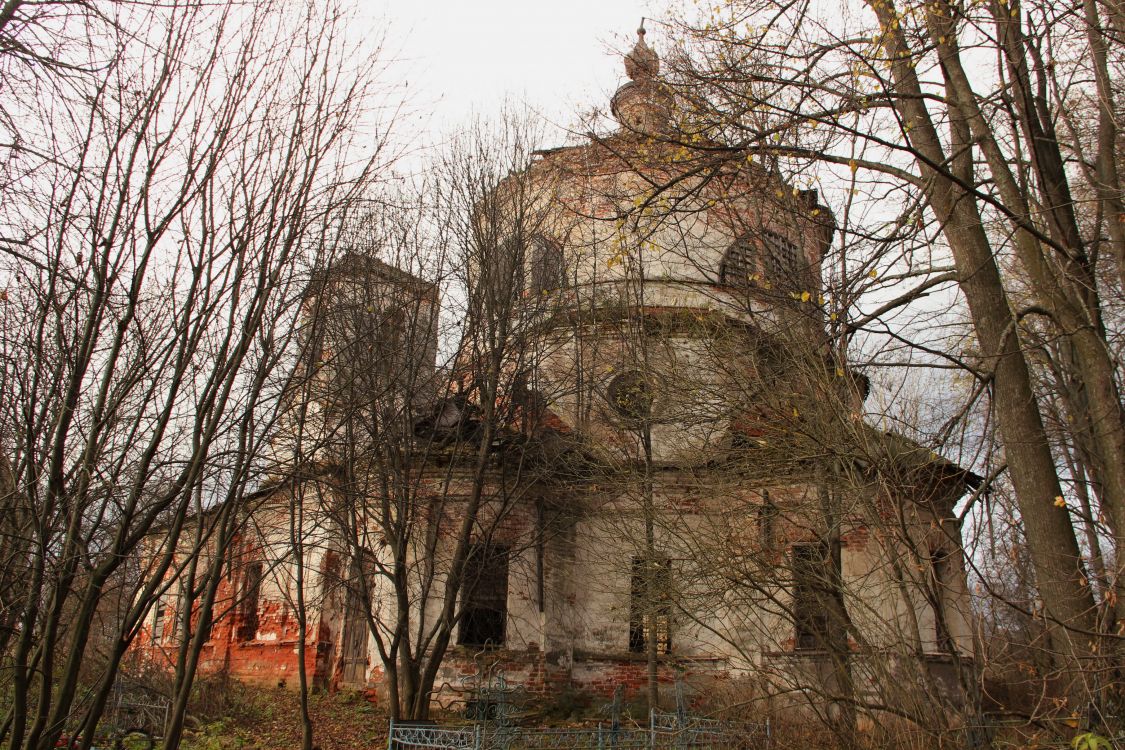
[465, 58]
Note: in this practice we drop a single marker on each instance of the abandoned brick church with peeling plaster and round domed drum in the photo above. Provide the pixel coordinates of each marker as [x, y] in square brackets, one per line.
[646, 462]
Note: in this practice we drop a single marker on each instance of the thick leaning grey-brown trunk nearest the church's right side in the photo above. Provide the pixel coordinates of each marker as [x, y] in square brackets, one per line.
[1068, 602]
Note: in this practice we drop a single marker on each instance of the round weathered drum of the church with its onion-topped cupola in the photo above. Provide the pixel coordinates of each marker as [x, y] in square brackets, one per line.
[654, 243]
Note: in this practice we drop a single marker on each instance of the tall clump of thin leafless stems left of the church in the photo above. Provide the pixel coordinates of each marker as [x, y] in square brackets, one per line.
[152, 242]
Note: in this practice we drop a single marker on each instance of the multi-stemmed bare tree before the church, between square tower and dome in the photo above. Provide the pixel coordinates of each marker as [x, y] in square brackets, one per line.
[415, 413]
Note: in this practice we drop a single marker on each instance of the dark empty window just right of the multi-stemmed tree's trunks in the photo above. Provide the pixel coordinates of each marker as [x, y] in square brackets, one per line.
[484, 598]
